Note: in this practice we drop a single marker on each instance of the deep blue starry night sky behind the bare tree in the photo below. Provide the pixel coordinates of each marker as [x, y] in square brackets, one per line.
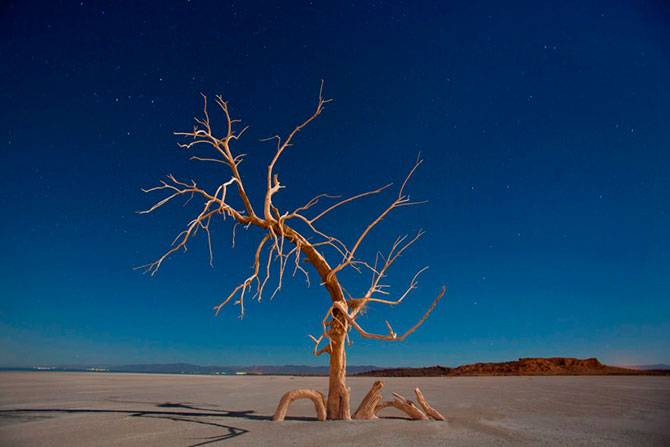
[543, 126]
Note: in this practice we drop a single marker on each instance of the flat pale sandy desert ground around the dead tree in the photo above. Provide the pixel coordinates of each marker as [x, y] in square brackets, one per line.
[109, 409]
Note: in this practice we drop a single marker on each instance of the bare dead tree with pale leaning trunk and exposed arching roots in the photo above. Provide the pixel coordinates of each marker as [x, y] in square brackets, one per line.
[285, 247]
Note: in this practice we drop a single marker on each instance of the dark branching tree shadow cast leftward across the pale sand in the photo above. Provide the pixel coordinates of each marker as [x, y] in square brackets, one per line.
[191, 413]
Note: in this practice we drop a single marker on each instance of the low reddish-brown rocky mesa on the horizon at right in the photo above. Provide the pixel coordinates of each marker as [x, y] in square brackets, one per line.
[537, 366]
